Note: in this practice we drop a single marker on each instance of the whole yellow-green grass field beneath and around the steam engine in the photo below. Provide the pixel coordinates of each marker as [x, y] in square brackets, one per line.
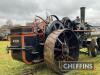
[8, 66]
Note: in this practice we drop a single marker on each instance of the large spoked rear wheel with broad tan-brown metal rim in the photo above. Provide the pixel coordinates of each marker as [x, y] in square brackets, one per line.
[61, 45]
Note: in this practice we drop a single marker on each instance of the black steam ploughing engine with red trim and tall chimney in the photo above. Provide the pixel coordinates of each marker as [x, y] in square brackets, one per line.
[52, 41]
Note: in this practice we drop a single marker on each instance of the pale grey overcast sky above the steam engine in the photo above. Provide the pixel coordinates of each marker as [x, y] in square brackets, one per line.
[22, 11]
